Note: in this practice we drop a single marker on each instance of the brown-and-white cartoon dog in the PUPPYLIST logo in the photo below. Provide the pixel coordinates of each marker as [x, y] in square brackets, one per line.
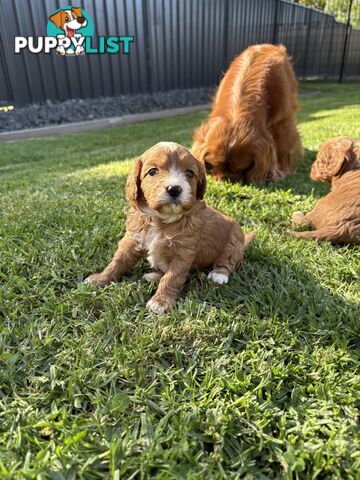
[69, 20]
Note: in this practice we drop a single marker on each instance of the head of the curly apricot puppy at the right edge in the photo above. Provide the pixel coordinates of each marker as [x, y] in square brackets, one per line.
[332, 157]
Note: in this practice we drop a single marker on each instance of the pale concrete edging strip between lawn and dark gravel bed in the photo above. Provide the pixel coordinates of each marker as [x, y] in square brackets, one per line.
[98, 124]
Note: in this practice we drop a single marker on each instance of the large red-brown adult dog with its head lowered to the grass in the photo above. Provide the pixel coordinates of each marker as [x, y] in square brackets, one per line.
[251, 132]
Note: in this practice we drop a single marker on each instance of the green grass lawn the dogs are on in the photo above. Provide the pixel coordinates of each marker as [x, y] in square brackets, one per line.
[254, 379]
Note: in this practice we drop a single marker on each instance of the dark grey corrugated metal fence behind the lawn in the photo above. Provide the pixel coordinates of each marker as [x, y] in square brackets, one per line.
[178, 44]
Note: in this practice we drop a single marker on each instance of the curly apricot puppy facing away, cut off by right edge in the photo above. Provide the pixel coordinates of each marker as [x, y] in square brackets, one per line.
[336, 217]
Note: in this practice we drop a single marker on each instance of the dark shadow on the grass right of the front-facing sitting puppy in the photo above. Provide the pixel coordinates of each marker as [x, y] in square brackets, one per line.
[274, 286]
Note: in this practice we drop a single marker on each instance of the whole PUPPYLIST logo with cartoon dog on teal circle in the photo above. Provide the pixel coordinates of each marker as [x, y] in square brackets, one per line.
[70, 31]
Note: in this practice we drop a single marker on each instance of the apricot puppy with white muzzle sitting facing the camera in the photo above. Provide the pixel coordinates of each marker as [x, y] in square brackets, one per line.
[170, 224]
